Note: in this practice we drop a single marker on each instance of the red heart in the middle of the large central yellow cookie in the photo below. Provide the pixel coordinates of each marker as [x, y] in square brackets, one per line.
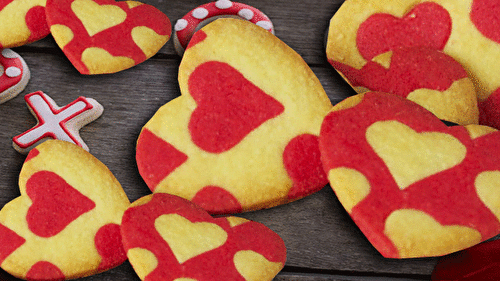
[229, 106]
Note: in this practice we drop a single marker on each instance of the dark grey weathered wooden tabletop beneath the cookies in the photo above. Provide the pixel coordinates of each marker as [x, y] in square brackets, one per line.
[322, 241]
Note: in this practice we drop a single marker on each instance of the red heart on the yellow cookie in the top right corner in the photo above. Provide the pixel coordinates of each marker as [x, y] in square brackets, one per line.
[427, 25]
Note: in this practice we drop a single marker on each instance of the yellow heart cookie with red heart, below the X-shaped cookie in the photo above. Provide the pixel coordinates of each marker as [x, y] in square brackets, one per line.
[66, 223]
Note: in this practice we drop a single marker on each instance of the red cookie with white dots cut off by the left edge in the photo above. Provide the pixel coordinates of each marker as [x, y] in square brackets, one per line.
[14, 75]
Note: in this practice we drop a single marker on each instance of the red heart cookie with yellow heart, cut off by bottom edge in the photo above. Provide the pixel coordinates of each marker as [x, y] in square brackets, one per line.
[169, 238]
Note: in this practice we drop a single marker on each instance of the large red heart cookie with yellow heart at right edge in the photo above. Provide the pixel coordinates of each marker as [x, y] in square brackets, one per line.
[414, 186]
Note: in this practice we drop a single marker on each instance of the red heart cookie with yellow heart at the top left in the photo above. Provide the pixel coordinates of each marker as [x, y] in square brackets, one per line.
[104, 36]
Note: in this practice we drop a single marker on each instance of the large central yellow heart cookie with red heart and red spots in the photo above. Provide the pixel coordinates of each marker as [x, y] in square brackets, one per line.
[246, 124]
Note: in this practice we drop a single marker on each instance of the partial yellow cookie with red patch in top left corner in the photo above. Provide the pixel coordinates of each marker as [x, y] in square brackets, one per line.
[22, 22]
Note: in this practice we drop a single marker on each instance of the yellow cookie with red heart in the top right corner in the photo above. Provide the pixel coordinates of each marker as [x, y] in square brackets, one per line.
[465, 30]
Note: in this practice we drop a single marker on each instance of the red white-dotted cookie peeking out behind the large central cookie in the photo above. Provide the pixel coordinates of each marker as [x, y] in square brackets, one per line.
[202, 15]
